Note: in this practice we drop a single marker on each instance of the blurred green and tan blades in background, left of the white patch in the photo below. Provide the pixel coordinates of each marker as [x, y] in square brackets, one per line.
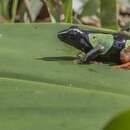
[29, 10]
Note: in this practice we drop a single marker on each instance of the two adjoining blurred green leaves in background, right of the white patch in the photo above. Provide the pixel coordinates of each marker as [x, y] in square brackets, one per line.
[106, 10]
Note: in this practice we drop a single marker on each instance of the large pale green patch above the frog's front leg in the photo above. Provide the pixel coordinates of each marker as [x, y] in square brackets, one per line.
[106, 40]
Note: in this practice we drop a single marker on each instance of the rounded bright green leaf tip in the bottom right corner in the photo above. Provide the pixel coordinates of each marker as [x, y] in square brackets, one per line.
[120, 122]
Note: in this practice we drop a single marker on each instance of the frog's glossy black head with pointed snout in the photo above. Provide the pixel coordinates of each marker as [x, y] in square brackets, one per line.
[74, 37]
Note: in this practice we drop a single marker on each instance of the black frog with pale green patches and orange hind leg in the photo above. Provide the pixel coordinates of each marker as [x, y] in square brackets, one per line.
[98, 46]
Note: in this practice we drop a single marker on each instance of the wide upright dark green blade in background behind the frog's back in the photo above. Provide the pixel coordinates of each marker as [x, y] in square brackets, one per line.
[109, 14]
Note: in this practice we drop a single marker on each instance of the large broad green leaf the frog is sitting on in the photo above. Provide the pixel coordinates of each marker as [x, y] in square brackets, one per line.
[41, 88]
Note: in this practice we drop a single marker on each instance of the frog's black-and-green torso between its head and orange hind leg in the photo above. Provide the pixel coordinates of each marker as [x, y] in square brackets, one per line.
[112, 44]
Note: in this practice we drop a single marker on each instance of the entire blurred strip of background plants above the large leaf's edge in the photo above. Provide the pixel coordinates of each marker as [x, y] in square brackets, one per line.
[113, 14]
